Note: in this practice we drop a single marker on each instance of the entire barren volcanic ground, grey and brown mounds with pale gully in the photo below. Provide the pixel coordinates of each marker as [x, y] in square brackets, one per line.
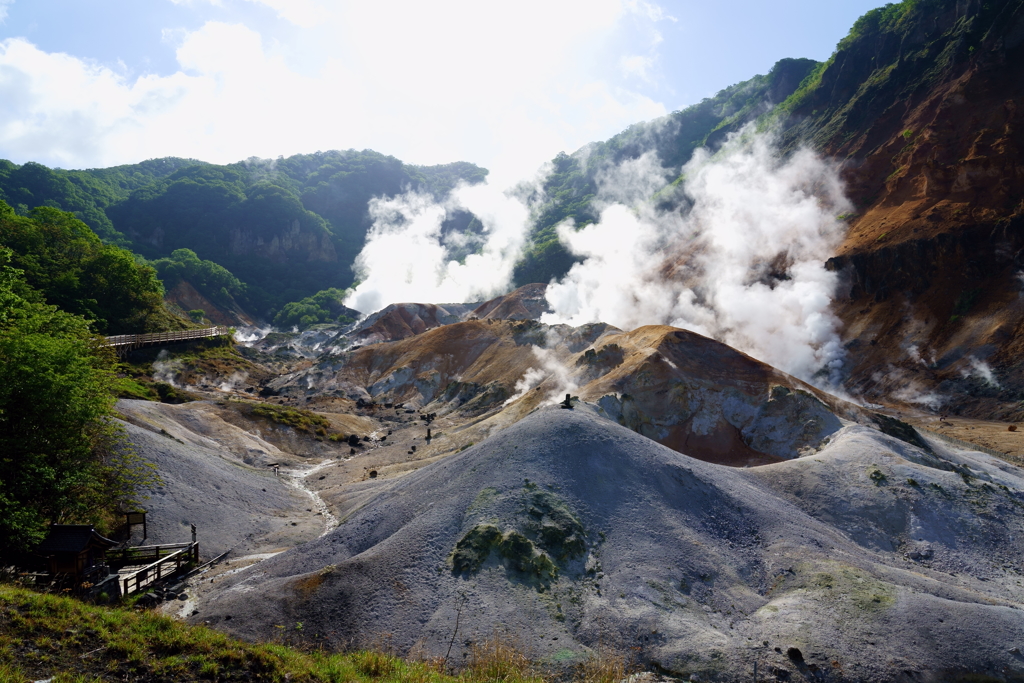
[457, 500]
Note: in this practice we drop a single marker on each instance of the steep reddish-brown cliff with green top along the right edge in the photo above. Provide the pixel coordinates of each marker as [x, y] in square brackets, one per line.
[922, 104]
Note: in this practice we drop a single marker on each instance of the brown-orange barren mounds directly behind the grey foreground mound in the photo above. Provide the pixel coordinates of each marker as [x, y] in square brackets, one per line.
[684, 391]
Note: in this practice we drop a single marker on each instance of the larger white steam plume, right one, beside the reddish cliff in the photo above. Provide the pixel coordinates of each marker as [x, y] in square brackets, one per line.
[745, 266]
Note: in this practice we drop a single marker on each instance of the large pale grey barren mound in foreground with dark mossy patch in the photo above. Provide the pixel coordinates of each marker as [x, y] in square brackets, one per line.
[872, 561]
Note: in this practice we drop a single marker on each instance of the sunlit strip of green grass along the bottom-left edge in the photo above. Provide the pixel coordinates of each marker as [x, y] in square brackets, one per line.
[48, 636]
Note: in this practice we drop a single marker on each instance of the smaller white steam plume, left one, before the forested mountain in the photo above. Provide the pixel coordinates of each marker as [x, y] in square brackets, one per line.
[408, 258]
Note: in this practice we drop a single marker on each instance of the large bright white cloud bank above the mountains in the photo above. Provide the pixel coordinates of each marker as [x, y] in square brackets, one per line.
[506, 87]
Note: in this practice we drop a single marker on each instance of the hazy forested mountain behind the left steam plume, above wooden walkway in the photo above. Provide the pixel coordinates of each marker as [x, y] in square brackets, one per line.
[285, 229]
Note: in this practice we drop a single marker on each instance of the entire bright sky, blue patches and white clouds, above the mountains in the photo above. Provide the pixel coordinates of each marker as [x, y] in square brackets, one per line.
[87, 83]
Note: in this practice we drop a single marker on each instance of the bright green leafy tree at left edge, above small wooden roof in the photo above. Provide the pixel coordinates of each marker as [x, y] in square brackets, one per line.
[61, 453]
